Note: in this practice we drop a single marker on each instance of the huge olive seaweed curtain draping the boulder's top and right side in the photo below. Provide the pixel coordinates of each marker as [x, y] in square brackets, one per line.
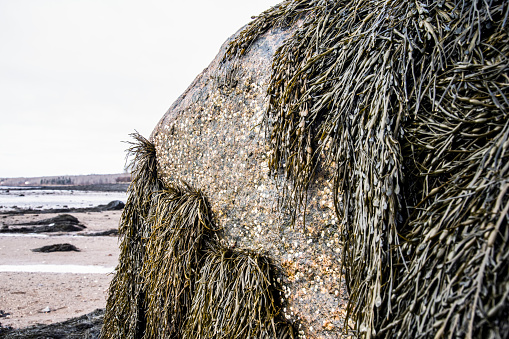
[406, 104]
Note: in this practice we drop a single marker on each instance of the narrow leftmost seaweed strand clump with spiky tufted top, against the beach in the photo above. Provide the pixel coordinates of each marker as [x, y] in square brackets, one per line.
[126, 306]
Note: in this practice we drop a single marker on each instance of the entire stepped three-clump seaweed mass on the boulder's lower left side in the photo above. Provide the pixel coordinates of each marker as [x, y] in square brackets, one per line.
[168, 241]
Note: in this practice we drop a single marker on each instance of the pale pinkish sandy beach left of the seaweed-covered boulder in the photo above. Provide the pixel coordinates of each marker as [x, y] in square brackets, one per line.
[31, 292]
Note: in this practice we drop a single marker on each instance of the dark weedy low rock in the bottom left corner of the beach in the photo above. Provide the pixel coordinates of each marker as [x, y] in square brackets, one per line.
[86, 326]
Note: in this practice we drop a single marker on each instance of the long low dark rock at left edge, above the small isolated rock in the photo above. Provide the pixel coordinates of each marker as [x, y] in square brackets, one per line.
[60, 223]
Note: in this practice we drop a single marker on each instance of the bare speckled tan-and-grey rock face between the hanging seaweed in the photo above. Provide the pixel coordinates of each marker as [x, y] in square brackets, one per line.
[213, 138]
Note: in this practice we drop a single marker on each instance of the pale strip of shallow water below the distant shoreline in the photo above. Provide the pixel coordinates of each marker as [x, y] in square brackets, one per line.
[11, 199]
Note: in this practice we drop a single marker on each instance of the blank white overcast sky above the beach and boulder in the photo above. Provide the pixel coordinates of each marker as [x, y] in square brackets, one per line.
[78, 76]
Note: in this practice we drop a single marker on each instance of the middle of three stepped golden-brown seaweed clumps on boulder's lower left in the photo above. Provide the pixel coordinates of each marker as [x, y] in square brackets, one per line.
[182, 225]
